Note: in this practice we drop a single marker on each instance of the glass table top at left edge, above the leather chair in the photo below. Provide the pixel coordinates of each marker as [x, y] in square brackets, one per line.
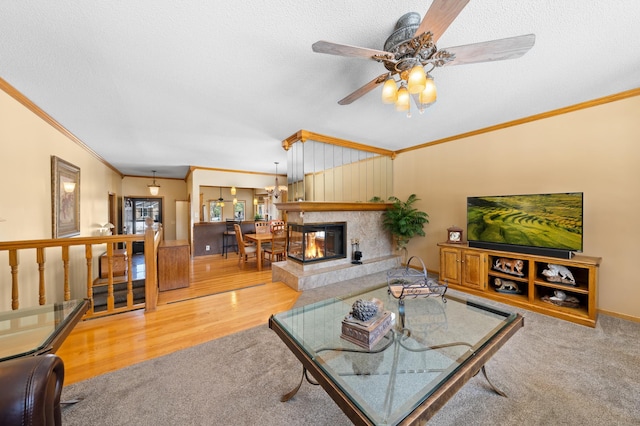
[28, 331]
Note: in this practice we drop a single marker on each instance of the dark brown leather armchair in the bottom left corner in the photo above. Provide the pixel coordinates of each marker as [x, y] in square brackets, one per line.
[31, 389]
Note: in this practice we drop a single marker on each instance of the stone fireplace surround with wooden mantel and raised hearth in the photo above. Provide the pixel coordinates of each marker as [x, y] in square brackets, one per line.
[364, 222]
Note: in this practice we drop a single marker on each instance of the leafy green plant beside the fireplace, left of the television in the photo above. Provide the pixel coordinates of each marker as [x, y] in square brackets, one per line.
[404, 221]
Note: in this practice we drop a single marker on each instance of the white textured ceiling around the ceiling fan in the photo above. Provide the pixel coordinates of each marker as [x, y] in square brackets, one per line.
[162, 85]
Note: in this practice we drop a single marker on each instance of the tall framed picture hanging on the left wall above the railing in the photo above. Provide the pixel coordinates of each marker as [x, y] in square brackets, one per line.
[65, 198]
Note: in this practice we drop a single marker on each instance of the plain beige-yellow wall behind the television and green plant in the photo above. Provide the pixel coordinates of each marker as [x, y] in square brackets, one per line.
[594, 150]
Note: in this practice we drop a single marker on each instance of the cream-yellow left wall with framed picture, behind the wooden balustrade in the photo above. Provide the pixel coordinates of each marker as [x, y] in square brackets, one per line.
[27, 143]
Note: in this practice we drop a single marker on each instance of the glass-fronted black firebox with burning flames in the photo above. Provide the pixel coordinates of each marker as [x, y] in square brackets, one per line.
[314, 242]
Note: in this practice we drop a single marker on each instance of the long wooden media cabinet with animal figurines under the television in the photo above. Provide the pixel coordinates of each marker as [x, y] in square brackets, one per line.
[563, 288]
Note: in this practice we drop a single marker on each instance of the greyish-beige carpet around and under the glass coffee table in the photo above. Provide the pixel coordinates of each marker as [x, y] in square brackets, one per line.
[554, 372]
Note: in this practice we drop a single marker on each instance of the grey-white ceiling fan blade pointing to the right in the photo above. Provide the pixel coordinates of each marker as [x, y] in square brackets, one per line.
[494, 50]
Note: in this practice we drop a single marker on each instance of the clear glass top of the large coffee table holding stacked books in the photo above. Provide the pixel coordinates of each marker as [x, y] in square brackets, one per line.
[389, 381]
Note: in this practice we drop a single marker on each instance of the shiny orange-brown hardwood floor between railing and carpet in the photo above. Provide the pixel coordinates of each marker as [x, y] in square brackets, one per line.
[224, 297]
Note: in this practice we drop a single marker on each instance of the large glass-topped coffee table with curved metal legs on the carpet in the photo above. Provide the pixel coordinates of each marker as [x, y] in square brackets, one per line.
[410, 374]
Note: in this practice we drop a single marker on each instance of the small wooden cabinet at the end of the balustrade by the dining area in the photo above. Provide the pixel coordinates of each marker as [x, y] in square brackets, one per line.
[173, 264]
